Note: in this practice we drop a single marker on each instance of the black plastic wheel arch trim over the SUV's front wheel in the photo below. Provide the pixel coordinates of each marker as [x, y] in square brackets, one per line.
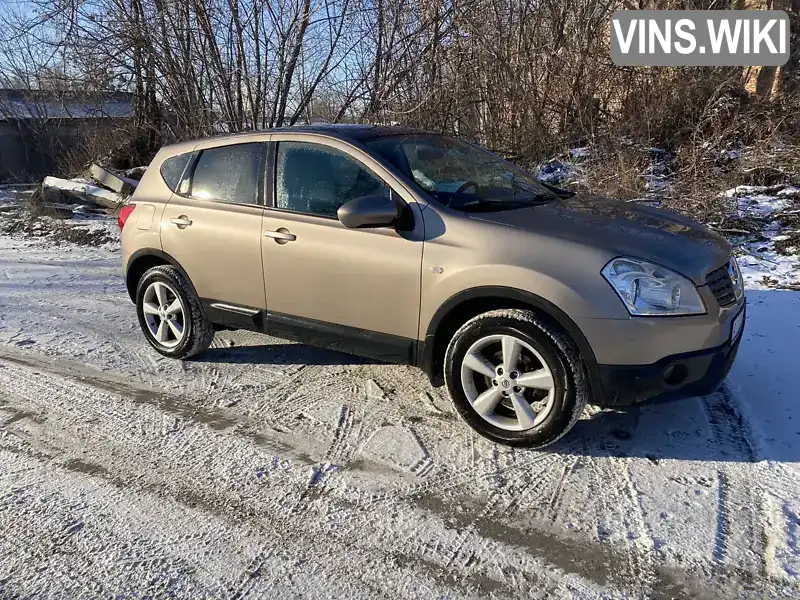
[461, 307]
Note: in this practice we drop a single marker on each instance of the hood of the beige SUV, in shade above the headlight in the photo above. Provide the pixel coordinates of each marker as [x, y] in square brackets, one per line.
[623, 229]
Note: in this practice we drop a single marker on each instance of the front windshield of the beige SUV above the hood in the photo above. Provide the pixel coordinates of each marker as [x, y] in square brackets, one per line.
[461, 175]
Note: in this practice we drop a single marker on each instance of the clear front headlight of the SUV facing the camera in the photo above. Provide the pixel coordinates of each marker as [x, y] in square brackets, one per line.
[651, 290]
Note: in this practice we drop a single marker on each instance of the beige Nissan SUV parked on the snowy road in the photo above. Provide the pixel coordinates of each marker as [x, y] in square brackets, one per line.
[412, 247]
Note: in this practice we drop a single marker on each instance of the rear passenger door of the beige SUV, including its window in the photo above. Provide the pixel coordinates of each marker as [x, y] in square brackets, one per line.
[212, 227]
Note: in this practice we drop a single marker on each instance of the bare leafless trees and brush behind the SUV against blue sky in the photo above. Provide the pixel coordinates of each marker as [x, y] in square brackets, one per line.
[523, 76]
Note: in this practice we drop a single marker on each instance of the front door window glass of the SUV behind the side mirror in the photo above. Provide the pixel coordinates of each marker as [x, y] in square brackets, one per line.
[317, 180]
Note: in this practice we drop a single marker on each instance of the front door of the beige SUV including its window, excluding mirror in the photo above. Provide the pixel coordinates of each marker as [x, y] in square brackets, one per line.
[351, 289]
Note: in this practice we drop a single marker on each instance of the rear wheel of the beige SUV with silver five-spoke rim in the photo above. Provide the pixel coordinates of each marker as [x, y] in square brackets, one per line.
[196, 332]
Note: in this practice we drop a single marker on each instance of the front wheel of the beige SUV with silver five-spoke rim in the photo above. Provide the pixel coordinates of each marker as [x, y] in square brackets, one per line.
[545, 356]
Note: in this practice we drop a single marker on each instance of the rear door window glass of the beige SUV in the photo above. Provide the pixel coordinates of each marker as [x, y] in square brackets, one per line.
[228, 173]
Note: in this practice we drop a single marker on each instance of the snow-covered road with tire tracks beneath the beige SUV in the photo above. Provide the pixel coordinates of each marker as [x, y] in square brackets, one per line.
[270, 469]
